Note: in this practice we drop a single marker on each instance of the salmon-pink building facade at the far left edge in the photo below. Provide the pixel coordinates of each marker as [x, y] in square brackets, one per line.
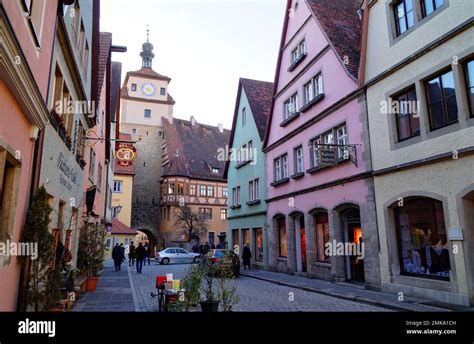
[26, 35]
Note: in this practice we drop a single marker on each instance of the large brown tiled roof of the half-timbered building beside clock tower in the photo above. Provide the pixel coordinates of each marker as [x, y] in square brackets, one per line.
[193, 149]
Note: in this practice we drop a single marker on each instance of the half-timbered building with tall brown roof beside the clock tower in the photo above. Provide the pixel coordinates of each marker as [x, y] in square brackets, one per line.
[193, 176]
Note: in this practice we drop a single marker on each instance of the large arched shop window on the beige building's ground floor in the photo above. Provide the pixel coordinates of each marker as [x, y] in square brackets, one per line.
[422, 240]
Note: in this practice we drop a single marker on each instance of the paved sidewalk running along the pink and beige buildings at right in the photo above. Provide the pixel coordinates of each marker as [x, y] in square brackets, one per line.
[347, 292]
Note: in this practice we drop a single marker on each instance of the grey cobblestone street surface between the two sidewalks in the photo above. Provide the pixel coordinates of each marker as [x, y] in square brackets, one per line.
[255, 295]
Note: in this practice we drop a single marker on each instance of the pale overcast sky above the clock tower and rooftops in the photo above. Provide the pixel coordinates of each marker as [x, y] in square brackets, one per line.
[204, 46]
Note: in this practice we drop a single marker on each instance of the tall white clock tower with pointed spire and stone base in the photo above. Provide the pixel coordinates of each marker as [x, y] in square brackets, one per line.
[145, 101]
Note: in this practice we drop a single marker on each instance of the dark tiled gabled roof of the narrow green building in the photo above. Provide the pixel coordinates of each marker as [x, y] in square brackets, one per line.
[259, 95]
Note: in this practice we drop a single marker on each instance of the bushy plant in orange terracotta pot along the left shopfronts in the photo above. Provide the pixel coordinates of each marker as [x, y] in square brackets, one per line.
[91, 252]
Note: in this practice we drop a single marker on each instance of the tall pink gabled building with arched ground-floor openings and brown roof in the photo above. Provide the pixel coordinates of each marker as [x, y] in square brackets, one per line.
[321, 209]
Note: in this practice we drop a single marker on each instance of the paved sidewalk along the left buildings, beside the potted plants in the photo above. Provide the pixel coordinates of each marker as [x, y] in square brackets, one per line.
[113, 293]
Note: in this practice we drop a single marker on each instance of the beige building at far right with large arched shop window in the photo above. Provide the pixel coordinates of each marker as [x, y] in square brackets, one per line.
[420, 81]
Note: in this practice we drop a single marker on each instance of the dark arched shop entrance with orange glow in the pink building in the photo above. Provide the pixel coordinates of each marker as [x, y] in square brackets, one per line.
[355, 248]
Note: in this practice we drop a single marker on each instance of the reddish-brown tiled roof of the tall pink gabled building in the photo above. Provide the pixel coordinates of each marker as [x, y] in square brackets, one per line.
[343, 28]
